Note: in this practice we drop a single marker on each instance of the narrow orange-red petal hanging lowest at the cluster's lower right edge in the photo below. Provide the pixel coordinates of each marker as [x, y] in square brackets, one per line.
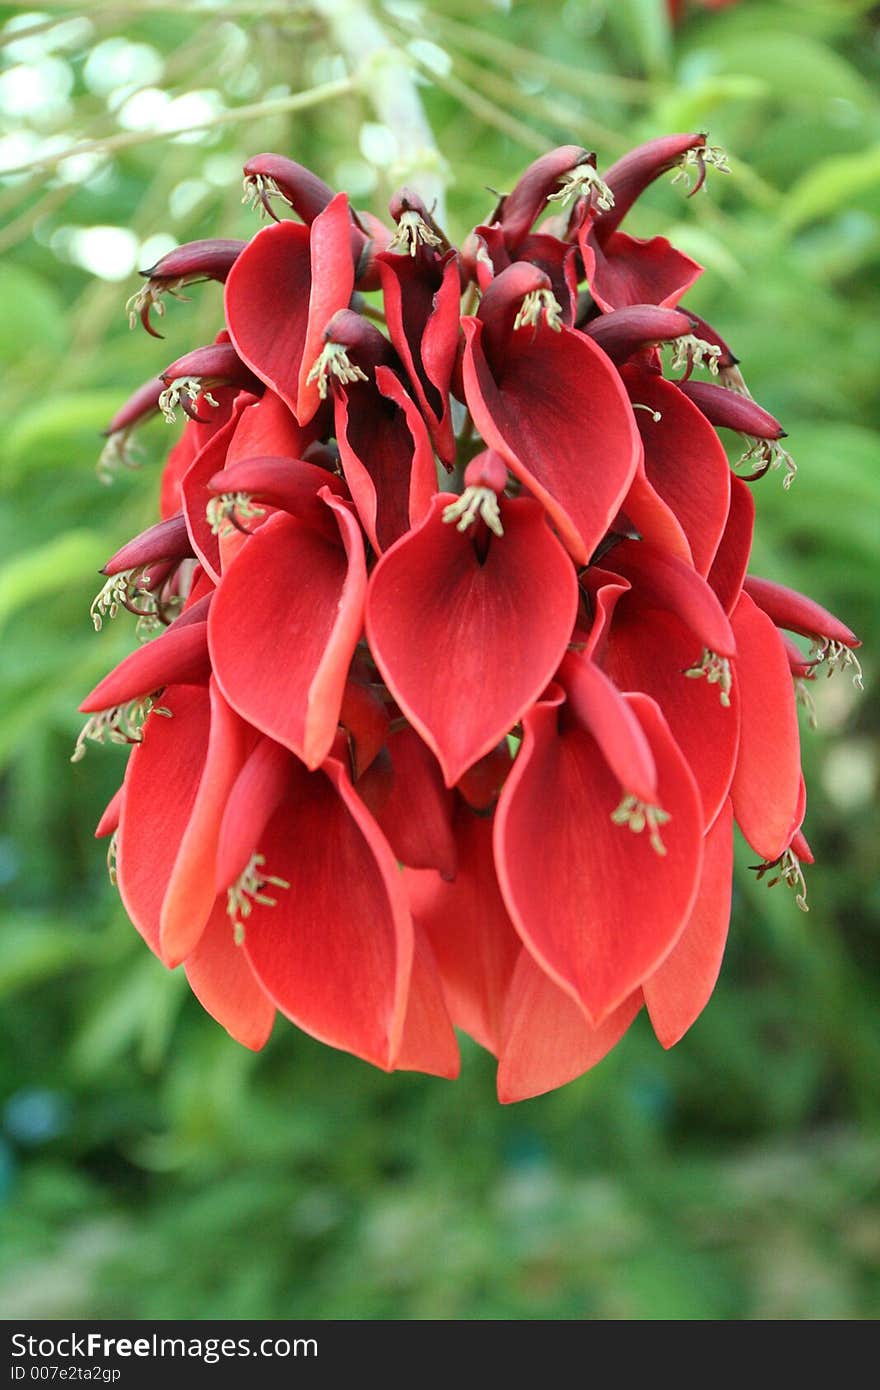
[679, 992]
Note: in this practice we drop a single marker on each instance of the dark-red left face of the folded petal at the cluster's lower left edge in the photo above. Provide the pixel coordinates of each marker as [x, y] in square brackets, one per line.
[162, 783]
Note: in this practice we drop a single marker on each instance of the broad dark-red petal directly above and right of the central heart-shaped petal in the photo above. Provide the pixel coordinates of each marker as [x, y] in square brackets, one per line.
[547, 400]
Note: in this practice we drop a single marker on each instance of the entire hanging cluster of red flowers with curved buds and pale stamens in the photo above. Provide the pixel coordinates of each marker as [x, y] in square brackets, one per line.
[412, 755]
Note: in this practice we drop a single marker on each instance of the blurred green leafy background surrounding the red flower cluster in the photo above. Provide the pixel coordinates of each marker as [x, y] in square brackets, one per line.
[149, 1167]
